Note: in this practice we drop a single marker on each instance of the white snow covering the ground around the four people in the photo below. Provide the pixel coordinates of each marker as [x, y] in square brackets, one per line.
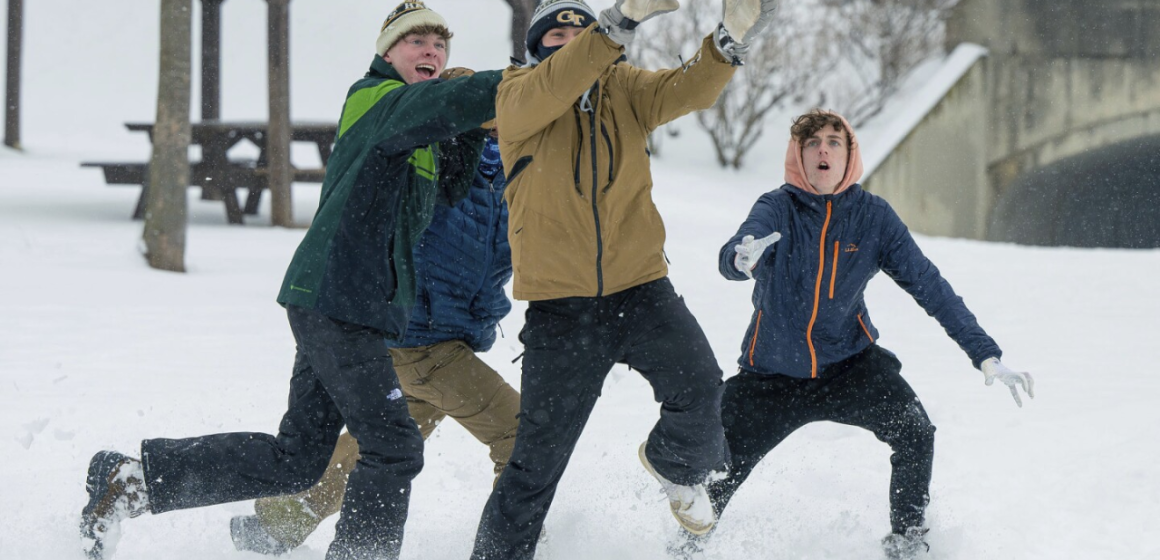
[98, 351]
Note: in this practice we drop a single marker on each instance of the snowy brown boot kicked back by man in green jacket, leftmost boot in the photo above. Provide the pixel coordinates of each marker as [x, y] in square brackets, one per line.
[117, 492]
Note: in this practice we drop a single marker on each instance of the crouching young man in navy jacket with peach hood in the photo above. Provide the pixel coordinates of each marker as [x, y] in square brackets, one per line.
[810, 352]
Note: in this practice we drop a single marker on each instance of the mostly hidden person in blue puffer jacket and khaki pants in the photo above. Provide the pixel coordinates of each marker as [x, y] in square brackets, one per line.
[462, 265]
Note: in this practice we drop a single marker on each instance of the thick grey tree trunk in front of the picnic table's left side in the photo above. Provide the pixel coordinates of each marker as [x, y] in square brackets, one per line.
[169, 171]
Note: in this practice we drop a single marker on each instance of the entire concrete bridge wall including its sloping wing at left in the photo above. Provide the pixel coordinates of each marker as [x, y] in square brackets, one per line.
[1063, 78]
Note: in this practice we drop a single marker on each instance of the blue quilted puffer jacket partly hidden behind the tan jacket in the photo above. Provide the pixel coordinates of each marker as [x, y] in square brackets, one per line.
[462, 264]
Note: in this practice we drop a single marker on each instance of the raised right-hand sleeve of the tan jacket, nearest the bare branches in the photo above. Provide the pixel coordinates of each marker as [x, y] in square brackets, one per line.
[668, 96]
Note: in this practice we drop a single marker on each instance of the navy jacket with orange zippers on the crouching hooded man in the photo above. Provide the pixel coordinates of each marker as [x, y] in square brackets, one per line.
[809, 307]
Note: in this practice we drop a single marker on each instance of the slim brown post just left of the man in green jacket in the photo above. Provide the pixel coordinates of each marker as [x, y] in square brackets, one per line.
[278, 136]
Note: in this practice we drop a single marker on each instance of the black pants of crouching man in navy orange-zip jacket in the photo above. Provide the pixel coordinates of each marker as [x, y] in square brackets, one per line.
[867, 391]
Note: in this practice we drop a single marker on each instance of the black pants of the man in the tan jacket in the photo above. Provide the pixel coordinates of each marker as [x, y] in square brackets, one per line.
[571, 345]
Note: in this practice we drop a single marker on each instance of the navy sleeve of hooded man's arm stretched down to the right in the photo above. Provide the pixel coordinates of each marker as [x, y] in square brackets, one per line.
[903, 260]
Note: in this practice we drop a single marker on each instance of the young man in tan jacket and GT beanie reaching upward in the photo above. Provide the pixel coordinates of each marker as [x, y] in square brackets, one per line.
[588, 251]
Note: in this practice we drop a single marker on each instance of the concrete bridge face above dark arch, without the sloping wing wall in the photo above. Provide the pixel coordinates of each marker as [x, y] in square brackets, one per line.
[1065, 76]
